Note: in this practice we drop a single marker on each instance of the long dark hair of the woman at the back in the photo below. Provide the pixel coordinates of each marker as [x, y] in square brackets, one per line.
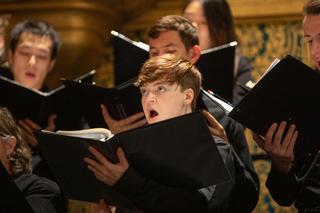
[219, 19]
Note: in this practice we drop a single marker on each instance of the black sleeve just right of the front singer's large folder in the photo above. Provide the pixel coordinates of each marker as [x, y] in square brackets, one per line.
[245, 195]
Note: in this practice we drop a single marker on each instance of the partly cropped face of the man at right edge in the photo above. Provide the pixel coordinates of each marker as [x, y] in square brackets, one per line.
[311, 28]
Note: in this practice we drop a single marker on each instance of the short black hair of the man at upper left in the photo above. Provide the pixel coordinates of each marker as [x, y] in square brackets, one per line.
[38, 29]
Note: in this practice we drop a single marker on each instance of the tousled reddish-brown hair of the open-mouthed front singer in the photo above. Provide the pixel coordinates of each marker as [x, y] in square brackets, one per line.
[171, 69]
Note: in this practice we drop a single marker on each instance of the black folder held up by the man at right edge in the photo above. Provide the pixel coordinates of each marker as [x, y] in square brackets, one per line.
[289, 92]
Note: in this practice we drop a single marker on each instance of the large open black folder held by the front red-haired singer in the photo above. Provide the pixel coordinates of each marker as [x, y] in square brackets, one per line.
[178, 152]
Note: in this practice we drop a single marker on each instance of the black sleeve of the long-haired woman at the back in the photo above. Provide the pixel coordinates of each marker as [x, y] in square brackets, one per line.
[243, 76]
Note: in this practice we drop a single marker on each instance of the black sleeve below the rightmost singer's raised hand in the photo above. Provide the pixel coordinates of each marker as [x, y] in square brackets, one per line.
[283, 188]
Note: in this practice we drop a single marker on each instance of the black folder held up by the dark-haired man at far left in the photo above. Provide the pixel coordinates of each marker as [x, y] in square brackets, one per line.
[29, 103]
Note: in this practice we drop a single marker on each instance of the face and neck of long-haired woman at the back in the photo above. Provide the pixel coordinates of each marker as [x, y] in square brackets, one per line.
[194, 12]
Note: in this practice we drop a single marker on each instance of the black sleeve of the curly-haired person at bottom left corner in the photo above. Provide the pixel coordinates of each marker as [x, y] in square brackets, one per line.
[42, 194]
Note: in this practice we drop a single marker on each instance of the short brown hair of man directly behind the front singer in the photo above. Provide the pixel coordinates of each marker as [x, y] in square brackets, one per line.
[188, 33]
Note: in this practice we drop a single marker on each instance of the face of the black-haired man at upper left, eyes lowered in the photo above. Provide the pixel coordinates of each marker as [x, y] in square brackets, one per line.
[31, 61]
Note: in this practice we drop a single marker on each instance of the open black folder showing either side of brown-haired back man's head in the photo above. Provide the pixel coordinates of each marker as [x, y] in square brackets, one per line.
[216, 65]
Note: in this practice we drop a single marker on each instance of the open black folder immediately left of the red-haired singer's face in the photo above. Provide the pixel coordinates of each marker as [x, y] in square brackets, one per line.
[121, 101]
